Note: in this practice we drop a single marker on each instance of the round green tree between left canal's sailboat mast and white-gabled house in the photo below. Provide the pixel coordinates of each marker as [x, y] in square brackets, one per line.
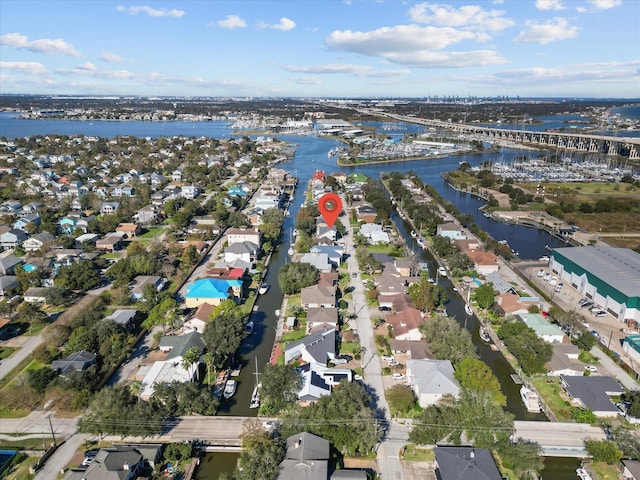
[280, 386]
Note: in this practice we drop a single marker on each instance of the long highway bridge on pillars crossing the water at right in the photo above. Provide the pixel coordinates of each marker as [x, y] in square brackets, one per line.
[580, 142]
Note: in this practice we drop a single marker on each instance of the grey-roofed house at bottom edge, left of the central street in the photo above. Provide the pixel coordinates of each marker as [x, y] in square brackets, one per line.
[307, 458]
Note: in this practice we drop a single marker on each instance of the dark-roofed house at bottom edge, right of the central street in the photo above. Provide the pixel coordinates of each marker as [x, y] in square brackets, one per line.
[465, 463]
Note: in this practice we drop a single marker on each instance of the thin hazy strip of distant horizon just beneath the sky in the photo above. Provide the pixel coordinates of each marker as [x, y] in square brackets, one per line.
[456, 98]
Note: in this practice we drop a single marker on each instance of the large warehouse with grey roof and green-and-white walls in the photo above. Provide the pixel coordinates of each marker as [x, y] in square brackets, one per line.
[609, 276]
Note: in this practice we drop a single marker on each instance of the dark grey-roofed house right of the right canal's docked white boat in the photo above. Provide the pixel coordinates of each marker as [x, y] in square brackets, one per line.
[593, 392]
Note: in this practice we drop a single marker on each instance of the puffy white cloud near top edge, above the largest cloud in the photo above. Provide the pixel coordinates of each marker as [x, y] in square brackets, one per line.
[467, 16]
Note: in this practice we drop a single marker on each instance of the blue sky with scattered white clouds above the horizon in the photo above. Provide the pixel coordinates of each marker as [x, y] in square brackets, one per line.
[322, 48]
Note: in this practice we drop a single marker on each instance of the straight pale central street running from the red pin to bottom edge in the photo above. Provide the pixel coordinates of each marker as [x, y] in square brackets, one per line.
[395, 436]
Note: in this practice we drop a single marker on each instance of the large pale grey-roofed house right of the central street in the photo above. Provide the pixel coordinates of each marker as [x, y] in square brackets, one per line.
[431, 380]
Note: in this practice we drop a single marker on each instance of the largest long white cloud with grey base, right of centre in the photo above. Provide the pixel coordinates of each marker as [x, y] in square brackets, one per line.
[414, 45]
